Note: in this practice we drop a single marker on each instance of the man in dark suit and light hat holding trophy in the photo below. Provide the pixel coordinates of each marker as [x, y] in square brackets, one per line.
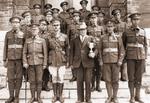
[82, 60]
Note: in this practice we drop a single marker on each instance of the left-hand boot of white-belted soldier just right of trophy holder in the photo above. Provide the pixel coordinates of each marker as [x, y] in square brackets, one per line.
[109, 92]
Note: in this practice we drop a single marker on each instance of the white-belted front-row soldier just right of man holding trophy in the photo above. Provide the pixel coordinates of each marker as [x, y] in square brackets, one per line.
[111, 54]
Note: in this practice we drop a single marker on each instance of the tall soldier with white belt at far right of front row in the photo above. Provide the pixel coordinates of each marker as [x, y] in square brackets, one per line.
[135, 43]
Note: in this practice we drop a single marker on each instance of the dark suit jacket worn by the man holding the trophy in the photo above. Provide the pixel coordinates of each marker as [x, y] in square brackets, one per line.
[79, 53]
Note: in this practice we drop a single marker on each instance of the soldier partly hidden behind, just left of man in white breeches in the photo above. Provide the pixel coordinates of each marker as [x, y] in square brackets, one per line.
[43, 25]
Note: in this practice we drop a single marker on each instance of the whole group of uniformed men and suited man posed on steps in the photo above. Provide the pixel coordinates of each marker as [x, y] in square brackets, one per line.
[41, 47]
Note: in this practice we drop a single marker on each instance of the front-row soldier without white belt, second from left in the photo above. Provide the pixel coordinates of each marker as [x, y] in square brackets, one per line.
[35, 59]
